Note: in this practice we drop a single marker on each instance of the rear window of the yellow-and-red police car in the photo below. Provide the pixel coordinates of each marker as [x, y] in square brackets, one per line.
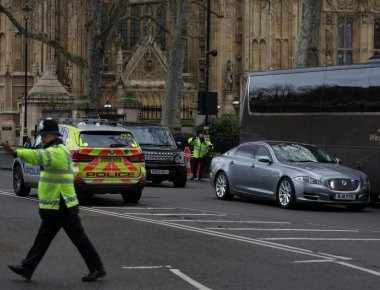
[106, 139]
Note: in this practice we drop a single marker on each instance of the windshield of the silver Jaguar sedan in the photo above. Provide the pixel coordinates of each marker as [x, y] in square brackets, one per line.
[300, 153]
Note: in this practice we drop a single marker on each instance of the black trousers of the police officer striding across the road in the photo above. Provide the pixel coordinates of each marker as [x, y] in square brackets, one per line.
[69, 220]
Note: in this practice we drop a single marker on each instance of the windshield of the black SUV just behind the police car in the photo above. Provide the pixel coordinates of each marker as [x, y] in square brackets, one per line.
[153, 136]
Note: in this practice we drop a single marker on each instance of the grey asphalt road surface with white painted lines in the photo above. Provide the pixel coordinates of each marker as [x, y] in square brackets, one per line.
[187, 239]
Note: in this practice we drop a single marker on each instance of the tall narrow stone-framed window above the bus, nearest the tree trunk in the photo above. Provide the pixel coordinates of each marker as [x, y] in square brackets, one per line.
[344, 38]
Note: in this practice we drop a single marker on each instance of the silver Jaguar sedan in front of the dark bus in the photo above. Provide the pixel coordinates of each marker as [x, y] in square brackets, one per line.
[288, 173]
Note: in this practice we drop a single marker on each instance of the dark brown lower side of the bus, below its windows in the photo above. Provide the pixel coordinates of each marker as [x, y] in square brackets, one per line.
[355, 139]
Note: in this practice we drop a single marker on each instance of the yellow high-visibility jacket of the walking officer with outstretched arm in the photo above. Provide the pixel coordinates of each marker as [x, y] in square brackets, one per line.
[56, 176]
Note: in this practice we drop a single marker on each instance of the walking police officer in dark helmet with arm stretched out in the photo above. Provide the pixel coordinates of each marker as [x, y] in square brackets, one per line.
[58, 202]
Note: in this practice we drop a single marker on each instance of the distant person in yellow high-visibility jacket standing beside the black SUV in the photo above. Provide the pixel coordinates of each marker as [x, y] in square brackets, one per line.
[201, 148]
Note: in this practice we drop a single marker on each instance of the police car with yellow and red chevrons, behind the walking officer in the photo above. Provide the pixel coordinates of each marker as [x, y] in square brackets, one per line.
[107, 159]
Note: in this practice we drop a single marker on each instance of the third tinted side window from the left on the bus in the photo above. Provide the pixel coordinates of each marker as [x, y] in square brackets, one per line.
[345, 90]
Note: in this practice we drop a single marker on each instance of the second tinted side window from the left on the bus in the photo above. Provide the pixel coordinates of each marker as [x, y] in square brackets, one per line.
[303, 92]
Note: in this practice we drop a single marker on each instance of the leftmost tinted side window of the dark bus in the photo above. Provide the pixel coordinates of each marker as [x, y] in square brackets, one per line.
[266, 93]
